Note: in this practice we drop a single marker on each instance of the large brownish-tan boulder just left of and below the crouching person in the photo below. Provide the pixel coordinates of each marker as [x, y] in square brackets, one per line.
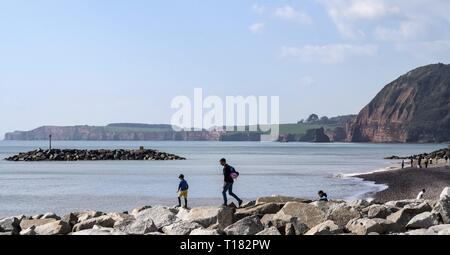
[307, 214]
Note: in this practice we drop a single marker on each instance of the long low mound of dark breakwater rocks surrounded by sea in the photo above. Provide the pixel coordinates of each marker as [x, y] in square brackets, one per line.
[92, 155]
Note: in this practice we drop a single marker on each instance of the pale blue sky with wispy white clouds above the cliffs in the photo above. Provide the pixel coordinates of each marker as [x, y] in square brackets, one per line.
[94, 62]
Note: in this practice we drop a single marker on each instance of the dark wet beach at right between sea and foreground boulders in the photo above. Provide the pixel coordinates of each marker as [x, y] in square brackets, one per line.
[407, 183]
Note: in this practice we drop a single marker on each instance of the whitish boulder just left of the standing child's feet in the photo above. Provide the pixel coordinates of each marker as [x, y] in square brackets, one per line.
[161, 216]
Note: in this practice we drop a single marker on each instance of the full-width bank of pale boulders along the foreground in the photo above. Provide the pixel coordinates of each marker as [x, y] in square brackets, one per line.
[266, 216]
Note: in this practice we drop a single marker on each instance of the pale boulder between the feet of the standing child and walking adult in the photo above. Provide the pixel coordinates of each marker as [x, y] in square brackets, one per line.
[207, 216]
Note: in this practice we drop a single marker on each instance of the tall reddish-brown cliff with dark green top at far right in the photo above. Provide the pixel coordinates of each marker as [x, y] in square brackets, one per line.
[413, 108]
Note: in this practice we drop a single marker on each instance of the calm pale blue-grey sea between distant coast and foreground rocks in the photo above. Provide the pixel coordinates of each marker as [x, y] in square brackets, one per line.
[295, 169]
